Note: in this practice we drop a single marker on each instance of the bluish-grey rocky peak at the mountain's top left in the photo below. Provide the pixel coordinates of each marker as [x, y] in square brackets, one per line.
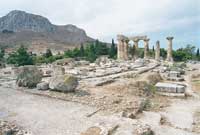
[18, 21]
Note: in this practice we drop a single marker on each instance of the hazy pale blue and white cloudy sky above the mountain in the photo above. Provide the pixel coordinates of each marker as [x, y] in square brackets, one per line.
[104, 19]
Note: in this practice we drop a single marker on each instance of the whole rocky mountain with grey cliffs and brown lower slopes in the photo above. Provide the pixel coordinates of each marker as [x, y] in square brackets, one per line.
[38, 33]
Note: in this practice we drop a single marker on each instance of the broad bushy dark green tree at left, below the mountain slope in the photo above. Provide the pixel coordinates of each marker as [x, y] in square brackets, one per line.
[20, 58]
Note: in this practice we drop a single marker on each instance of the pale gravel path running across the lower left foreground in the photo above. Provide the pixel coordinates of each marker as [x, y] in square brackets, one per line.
[47, 116]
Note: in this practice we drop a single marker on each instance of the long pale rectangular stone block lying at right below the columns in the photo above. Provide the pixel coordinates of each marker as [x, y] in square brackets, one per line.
[170, 88]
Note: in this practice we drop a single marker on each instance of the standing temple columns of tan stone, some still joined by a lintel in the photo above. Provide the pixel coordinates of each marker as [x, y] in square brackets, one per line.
[123, 47]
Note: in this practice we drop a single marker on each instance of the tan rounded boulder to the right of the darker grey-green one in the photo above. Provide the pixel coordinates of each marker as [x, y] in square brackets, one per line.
[63, 83]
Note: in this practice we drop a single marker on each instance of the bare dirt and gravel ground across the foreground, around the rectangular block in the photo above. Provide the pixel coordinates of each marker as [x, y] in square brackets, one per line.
[124, 98]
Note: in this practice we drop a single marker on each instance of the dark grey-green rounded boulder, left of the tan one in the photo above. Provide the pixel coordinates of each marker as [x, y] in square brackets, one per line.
[28, 76]
